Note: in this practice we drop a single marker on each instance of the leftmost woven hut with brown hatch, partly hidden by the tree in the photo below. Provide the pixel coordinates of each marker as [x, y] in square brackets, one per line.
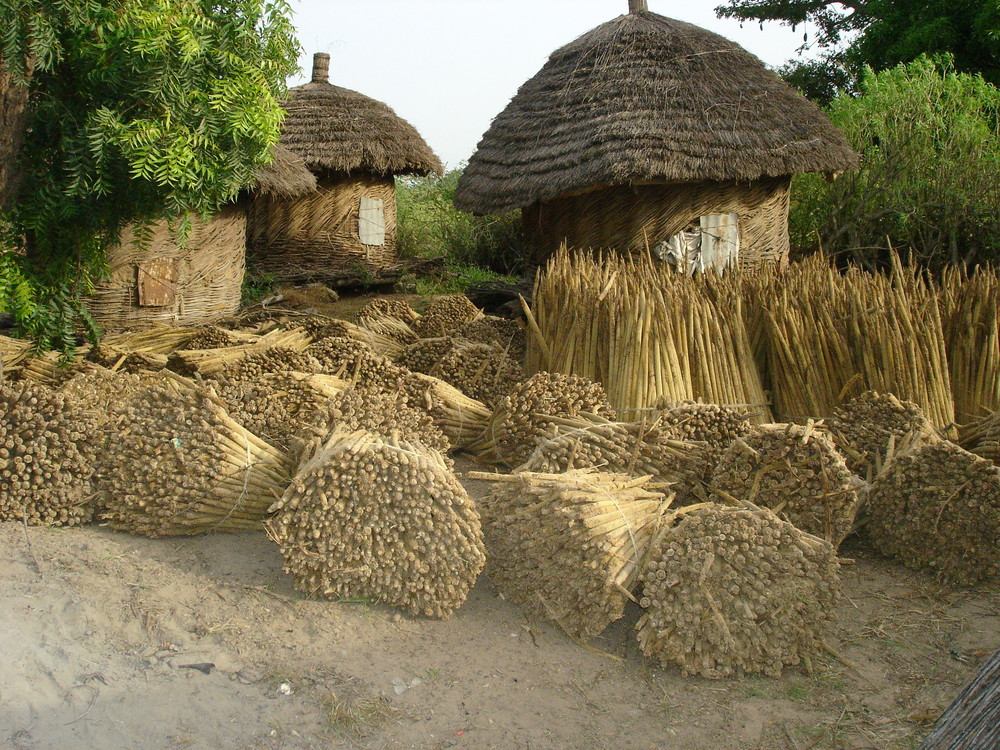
[153, 277]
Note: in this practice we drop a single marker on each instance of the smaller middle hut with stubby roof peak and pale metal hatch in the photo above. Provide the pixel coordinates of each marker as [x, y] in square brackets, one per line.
[355, 146]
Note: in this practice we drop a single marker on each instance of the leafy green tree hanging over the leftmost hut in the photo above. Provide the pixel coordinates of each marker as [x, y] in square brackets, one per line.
[131, 111]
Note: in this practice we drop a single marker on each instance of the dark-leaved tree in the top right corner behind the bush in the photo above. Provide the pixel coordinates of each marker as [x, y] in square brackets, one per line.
[855, 34]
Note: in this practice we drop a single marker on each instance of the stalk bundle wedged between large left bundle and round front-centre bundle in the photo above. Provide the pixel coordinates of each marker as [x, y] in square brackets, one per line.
[278, 406]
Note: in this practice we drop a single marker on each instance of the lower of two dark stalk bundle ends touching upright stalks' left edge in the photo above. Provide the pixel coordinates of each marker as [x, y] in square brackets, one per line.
[482, 371]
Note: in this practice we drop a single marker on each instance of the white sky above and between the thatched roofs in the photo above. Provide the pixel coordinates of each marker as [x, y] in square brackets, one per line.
[450, 66]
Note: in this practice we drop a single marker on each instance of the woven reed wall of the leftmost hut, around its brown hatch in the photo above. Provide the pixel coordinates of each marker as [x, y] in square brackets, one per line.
[209, 273]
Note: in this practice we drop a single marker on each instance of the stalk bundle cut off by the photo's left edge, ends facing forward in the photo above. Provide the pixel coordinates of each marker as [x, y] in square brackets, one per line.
[47, 448]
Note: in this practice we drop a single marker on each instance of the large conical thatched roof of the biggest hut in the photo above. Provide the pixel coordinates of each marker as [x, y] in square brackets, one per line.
[647, 98]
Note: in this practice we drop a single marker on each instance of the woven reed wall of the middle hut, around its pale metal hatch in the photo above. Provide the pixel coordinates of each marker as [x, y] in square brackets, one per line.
[316, 236]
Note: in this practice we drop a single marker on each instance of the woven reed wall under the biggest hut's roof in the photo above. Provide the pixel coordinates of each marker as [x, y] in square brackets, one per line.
[636, 217]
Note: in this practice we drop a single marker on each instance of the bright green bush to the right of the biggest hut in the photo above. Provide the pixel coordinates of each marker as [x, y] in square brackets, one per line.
[929, 184]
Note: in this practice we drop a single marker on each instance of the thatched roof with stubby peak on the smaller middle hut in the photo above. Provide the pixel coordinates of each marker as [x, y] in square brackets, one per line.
[340, 130]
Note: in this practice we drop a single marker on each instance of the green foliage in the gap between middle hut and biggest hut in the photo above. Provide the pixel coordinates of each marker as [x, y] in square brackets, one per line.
[429, 225]
